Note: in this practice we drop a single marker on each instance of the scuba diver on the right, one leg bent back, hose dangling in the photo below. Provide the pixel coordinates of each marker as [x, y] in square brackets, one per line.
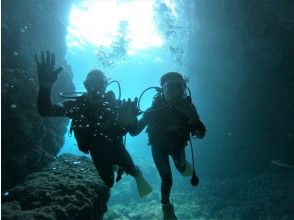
[170, 120]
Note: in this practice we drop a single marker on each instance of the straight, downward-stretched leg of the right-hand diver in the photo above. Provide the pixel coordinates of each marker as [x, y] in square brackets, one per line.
[160, 157]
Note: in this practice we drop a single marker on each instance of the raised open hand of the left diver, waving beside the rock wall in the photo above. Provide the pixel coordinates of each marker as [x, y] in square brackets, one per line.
[47, 74]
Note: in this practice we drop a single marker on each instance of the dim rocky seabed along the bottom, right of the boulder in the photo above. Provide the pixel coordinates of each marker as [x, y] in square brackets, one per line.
[264, 196]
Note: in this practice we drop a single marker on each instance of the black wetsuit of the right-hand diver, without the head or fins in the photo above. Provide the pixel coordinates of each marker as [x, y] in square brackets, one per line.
[168, 131]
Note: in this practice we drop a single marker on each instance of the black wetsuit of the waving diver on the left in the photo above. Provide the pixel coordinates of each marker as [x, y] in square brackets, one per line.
[98, 120]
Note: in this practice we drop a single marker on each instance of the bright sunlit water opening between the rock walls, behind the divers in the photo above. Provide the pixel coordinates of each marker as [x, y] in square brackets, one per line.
[132, 41]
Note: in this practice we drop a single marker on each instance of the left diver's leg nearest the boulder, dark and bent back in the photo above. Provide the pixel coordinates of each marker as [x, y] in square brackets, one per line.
[104, 167]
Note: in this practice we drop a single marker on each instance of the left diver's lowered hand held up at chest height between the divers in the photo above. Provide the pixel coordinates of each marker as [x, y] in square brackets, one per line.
[128, 113]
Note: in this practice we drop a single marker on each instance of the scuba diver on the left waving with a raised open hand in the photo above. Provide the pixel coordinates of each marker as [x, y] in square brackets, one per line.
[98, 121]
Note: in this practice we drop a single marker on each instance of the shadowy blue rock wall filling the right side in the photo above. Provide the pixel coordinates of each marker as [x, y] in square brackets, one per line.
[242, 56]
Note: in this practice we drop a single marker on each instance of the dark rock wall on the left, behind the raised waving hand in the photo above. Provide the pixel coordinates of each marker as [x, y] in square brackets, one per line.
[29, 142]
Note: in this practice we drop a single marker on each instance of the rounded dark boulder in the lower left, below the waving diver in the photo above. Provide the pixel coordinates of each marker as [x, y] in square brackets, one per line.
[68, 188]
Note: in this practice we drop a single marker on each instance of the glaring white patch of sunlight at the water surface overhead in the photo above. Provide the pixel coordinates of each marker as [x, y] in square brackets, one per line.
[104, 23]
